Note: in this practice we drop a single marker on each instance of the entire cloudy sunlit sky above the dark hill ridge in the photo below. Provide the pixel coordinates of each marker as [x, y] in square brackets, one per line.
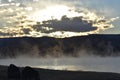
[58, 18]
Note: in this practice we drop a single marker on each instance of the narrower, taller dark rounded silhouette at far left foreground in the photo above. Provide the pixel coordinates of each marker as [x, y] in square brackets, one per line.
[13, 72]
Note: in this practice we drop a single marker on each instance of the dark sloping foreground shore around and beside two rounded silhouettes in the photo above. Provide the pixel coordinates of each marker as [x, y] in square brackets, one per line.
[46, 74]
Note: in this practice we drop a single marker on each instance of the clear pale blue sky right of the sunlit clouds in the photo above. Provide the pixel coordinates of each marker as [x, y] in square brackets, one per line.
[109, 8]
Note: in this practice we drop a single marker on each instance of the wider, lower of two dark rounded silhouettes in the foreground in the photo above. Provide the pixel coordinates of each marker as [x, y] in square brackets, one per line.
[29, 73]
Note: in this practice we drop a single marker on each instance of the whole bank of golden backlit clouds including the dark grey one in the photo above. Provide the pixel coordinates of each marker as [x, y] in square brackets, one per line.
[54, 20]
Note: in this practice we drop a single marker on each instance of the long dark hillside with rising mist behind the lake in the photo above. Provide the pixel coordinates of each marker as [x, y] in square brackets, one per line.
[101, 45]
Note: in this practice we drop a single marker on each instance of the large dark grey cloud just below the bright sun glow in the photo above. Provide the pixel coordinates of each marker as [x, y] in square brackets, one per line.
[75, 24]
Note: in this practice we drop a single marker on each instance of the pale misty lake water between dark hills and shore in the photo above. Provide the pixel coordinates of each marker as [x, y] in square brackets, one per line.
[102, 64]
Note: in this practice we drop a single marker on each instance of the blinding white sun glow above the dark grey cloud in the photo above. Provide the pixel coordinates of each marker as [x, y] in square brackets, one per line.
[53, 12]
